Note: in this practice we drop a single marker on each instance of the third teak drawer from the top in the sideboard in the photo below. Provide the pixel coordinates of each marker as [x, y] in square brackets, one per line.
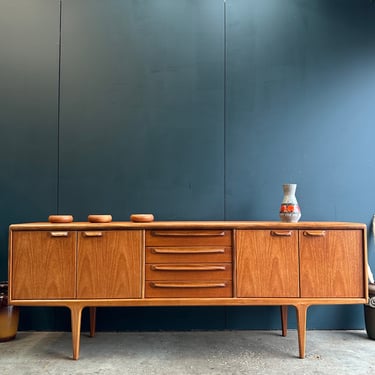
[194, 271]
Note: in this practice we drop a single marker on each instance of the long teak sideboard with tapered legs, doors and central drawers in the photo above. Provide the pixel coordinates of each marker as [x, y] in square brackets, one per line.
[187, 263]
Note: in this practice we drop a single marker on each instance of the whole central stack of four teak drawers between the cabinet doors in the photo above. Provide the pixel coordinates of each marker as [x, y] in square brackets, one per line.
[188, 263]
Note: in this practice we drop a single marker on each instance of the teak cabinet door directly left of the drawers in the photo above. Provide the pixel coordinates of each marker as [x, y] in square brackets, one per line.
[109, 264]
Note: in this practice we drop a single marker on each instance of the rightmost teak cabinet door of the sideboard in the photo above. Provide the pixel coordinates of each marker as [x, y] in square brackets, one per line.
[332, 263]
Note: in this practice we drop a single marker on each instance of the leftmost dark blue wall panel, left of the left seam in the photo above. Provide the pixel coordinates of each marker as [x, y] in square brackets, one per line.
[29, 44]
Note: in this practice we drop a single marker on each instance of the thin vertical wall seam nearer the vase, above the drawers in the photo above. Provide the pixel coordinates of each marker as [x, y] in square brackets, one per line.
[225, 107]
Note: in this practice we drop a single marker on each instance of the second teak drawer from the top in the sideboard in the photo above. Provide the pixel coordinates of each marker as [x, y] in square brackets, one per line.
[188, 254]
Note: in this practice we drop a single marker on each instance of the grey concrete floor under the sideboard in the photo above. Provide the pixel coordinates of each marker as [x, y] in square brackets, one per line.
[189, 353]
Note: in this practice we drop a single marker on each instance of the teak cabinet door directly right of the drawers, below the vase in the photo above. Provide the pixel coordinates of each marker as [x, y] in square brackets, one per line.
[267, 263]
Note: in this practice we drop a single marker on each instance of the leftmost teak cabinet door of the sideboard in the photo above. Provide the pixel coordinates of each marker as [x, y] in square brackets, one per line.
[43, 264]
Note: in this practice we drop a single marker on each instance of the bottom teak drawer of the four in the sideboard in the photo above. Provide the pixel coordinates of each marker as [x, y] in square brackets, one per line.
[188, 289]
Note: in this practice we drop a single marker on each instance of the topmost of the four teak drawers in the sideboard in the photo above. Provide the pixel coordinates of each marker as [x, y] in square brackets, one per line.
[188, 237]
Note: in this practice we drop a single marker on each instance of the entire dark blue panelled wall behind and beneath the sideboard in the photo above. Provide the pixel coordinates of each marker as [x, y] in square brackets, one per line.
[190, 110]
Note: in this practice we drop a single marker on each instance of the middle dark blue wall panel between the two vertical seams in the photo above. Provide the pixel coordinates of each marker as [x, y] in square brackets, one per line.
[142, 103]
